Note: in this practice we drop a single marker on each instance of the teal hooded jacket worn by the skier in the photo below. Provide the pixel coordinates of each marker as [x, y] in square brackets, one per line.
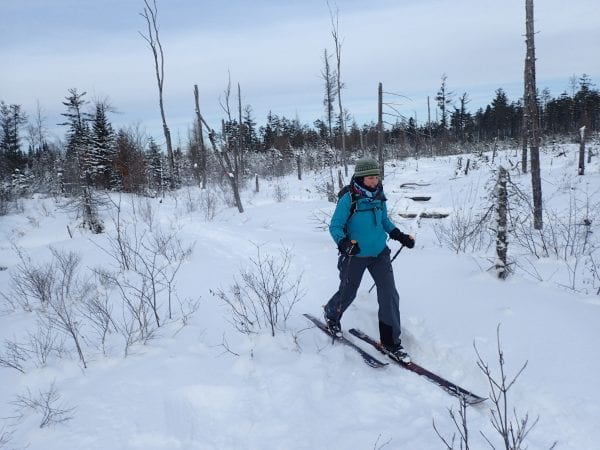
[369, 225]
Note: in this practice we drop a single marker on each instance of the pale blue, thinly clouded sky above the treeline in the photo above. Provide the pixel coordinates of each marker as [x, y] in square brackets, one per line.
[274, 50]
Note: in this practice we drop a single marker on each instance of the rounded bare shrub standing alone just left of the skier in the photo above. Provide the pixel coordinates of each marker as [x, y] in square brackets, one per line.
[265, 296]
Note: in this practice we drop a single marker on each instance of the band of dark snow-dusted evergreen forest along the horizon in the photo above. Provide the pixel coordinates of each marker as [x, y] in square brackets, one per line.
[94, 154]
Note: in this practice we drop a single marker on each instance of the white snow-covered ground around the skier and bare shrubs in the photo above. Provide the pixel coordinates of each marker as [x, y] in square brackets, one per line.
[201, 384]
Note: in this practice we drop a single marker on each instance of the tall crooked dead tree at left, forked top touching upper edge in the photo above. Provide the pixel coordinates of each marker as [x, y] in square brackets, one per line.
[150, 13]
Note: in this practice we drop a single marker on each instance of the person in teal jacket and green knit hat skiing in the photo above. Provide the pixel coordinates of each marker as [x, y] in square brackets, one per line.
[360, 226]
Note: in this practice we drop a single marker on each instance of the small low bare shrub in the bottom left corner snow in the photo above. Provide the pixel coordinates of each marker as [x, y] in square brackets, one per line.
[46, 404]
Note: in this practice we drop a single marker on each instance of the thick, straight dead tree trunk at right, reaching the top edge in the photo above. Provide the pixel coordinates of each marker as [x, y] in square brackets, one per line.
[532, 119]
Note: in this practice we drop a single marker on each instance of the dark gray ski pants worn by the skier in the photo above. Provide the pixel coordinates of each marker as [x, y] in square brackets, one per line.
[351, 270]
